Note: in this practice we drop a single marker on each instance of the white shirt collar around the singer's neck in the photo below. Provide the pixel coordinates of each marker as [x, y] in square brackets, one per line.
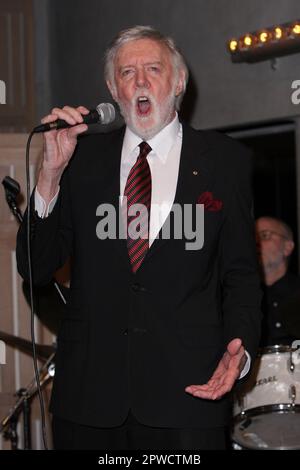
[161, 143]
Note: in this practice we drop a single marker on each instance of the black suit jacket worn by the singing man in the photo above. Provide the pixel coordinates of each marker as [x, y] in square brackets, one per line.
[136, 341]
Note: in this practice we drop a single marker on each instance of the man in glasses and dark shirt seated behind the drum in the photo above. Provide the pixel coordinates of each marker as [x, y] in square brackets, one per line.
[281, 299]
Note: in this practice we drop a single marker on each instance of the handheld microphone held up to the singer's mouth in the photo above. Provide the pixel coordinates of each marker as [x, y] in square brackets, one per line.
[104, 114]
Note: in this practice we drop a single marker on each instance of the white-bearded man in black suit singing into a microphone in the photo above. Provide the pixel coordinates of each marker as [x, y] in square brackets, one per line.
[157, 329]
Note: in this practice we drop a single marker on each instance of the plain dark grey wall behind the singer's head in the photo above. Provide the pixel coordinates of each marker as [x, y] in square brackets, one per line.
[72, 36]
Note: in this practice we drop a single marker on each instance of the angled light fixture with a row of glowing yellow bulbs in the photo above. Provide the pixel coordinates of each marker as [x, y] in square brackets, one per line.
[267, 43]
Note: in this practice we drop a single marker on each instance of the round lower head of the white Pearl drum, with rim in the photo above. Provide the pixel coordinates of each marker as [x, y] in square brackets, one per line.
[274, 427]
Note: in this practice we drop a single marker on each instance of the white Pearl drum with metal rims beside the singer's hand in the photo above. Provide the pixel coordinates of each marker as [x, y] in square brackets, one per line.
[267, 409]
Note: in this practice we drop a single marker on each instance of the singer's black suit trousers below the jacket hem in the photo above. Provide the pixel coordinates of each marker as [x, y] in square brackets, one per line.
[132, 435]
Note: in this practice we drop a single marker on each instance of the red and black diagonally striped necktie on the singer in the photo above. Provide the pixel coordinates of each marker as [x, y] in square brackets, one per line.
[138, 191]
